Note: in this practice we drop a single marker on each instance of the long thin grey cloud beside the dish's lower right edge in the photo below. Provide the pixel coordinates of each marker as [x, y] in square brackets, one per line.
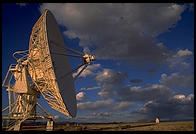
[95, 105]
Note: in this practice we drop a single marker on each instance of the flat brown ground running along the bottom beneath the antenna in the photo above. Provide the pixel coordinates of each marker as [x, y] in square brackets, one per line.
[139, 126]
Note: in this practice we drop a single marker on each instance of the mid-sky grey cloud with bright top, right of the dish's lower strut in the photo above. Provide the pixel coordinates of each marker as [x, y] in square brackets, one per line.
[109, 80]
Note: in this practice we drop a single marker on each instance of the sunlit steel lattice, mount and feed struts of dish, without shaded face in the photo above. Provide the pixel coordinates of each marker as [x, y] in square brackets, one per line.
[34, 75]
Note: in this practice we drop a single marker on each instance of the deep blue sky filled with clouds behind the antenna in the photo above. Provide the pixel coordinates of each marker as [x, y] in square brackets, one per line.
[144, 60]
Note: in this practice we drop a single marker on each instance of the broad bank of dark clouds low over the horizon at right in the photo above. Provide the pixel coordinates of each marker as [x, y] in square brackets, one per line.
[156, 101]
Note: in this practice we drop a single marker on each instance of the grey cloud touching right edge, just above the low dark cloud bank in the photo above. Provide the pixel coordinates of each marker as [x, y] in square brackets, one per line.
[178, 80]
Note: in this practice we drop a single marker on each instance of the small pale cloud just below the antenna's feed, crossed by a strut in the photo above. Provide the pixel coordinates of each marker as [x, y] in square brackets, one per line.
[88, 71]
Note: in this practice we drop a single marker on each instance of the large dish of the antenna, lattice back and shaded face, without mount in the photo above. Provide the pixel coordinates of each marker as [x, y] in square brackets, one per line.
[47, 67]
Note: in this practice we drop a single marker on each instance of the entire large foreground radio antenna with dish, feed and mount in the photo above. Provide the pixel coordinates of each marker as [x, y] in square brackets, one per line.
[43, 69]
